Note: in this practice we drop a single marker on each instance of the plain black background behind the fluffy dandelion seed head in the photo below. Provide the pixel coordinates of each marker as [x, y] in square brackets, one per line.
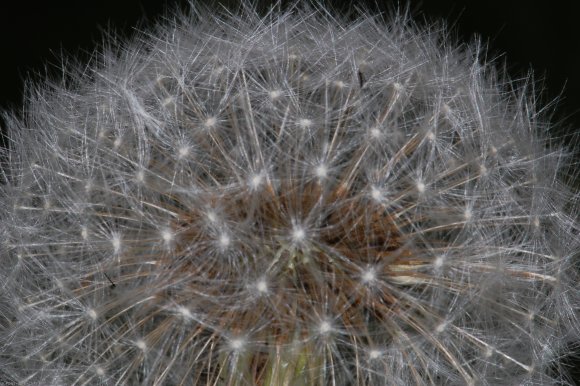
[542, 36]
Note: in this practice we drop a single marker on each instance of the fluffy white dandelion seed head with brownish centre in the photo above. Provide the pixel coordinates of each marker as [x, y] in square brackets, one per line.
[289, 200]
